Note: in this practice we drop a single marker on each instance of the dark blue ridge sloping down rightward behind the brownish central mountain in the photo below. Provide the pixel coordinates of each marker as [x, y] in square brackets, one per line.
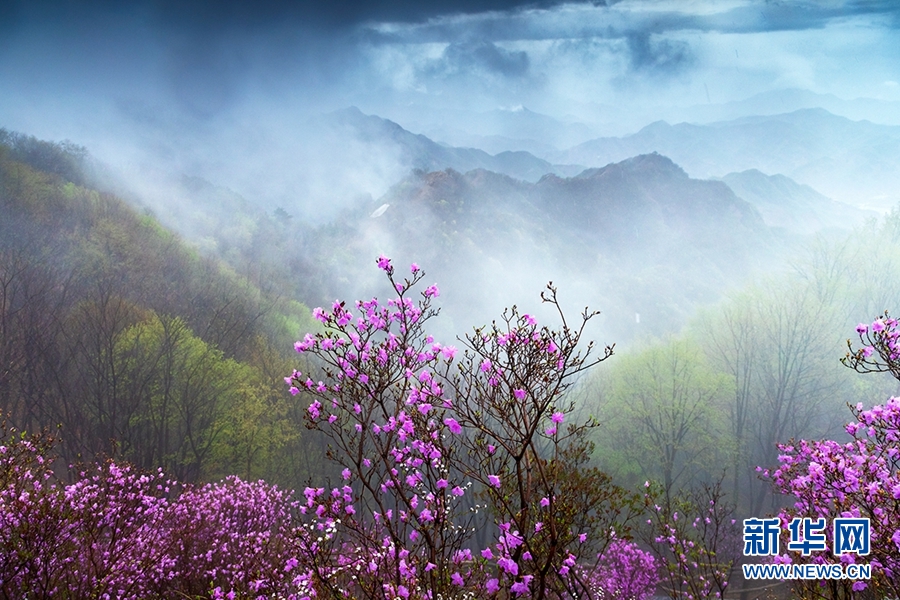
[416, 151]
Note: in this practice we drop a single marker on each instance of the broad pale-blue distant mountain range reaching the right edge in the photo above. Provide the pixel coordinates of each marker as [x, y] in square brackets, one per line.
[855, 162]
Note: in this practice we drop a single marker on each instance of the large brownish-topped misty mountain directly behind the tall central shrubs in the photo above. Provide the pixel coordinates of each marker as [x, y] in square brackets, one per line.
[639, 236]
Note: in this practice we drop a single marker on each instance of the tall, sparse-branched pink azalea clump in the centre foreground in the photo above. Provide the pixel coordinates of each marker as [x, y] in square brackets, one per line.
[437, 445]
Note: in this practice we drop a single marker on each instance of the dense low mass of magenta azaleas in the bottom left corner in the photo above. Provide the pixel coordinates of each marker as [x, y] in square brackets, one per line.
[118, 533]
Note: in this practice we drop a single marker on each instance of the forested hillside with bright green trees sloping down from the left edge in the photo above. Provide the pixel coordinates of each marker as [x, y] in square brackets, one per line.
[135, 345]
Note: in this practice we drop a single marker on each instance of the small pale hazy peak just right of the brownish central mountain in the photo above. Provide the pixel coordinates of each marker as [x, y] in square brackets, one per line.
[783, 202]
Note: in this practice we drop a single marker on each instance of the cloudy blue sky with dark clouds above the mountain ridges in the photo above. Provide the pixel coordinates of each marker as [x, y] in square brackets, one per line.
[194, 81]
